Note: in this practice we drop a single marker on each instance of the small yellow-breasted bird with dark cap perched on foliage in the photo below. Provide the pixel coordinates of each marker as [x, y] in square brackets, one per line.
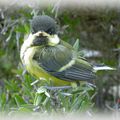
[47, 57]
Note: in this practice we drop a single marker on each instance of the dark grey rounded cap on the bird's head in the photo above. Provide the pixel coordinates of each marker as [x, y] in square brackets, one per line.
[43, 23]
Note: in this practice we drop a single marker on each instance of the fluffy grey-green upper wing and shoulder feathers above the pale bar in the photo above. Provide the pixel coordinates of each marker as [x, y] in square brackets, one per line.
[53, 58]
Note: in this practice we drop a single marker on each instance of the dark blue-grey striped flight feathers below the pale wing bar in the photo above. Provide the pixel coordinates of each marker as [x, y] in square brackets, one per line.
[76, 73]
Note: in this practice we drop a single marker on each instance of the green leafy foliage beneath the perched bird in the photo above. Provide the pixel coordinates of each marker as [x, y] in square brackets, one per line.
[23, 96]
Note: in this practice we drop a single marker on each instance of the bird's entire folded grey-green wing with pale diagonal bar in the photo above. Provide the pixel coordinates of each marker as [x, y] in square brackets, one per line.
[63, 63]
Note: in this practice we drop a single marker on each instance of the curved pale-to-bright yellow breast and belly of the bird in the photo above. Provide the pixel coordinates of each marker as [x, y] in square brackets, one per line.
[34, 69]
